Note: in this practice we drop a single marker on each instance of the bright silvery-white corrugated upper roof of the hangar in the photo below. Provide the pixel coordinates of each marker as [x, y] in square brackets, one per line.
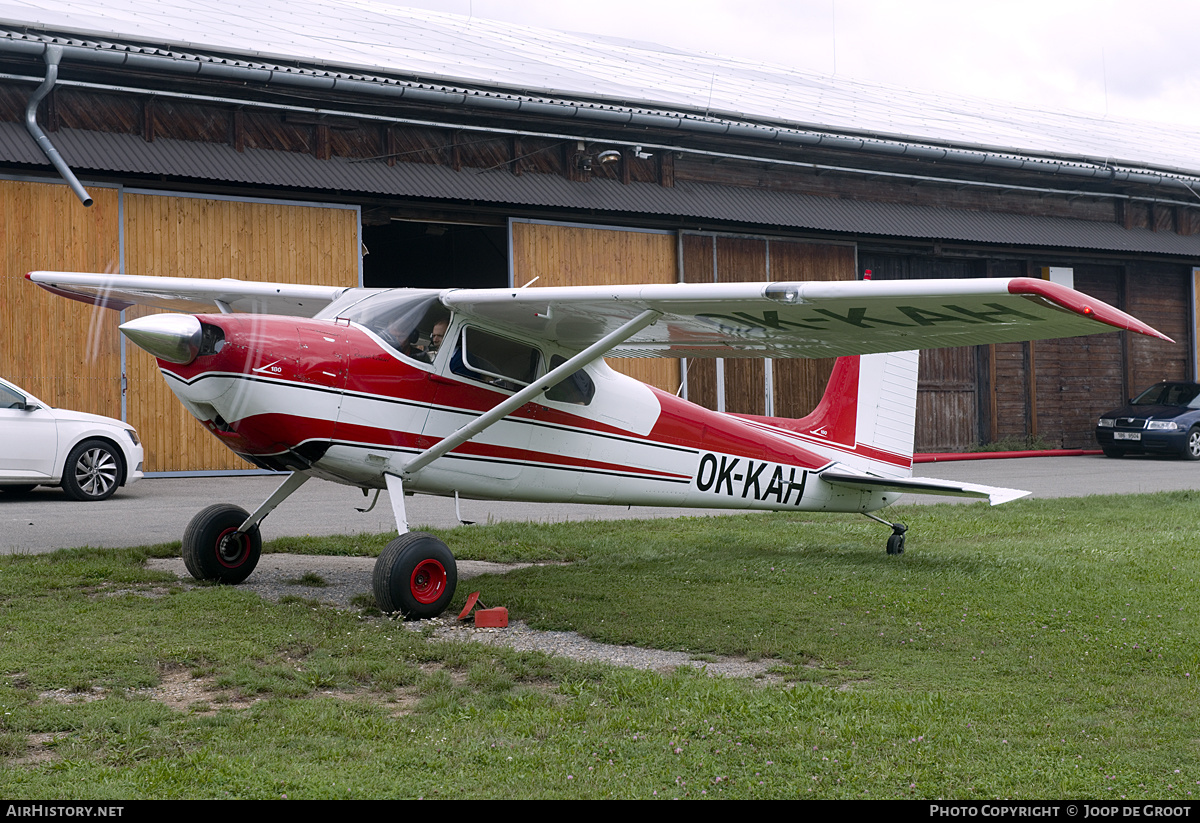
[381, 40]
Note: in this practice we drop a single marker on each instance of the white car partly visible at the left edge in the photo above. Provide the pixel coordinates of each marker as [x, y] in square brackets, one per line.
[88, 455]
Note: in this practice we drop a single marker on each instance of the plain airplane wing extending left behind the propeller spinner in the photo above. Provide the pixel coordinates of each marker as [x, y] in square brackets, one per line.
[188, 295]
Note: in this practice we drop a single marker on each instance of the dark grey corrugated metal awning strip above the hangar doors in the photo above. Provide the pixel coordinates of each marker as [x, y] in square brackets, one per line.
[98, 152]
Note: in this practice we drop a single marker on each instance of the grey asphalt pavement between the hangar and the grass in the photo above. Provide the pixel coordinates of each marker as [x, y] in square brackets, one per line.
[158, 510]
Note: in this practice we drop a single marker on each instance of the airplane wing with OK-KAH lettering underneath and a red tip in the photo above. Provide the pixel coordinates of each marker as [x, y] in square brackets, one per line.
[803, 320]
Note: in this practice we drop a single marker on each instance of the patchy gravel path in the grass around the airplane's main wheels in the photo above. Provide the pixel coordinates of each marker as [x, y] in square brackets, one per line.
[346, 578]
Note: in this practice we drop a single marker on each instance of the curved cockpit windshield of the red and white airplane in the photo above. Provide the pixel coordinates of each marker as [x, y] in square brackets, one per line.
[410, 321]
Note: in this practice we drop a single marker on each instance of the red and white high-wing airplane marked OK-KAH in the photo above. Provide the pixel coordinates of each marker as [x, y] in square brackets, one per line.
[357, 387]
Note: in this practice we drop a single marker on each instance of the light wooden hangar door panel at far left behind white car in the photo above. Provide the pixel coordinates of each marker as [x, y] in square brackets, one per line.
[64, 352]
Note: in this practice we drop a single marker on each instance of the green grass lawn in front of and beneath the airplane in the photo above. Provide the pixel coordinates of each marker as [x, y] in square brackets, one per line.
[1040, 650]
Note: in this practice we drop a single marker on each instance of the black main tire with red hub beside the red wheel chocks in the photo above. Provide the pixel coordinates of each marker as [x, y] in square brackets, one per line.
[416, 575]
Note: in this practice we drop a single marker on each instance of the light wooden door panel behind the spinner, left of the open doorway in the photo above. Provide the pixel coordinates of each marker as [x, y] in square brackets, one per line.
[181, 237]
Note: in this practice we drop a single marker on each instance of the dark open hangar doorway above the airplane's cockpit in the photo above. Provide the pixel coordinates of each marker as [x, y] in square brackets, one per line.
[404, 254]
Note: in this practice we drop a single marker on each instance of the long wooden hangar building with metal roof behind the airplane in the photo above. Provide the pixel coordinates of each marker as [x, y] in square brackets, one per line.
[338, 143]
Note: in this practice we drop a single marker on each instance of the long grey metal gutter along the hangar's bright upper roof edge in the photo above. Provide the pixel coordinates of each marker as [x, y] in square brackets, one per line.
[326, 81]
